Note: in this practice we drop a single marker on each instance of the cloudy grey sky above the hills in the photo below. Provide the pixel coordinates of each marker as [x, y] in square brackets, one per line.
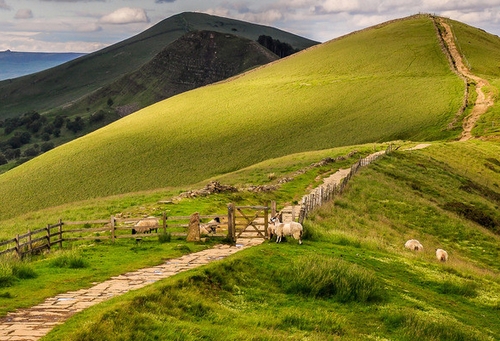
[90, 25]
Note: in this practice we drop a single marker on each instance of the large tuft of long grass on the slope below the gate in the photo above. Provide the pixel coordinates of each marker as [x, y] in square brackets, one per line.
[324, 277]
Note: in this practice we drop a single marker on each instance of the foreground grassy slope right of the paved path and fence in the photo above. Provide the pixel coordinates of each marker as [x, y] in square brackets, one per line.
[352, 279]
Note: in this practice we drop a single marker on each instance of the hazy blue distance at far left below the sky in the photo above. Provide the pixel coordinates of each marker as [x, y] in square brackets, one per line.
[17, 64]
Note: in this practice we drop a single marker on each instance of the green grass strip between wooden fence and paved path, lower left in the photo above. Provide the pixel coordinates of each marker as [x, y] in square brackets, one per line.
[79, 265]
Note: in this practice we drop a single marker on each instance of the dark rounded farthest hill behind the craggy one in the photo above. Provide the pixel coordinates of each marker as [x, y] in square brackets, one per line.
[47, 90]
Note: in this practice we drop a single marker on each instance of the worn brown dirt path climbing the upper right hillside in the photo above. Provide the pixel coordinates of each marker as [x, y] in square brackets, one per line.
[483, 102]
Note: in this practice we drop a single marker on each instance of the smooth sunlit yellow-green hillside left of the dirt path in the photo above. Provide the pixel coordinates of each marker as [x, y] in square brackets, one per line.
[389, 82]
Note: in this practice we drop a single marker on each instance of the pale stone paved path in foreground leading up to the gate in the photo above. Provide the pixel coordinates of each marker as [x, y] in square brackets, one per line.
[35, 322]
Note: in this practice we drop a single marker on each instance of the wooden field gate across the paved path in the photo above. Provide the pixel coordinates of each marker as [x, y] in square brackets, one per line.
[247, 222]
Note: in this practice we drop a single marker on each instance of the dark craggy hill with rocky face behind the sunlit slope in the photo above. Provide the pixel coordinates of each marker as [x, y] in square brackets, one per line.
[196, 59]
